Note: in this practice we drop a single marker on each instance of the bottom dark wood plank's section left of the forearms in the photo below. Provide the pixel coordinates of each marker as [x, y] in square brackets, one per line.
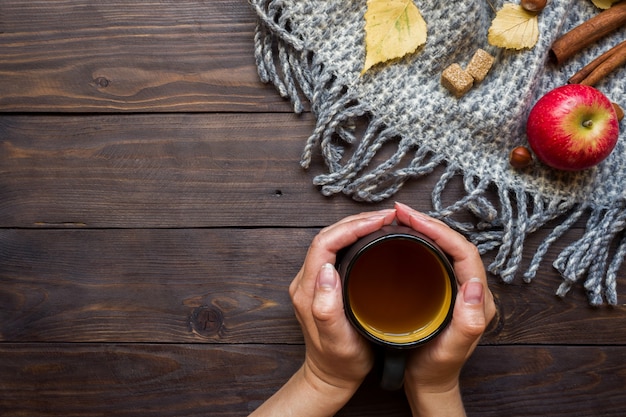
[140, 380]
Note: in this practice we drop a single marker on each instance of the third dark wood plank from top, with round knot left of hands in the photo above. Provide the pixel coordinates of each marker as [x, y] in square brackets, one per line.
[220, 286]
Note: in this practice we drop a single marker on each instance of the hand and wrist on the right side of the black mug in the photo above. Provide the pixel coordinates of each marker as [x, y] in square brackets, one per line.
[432, 374]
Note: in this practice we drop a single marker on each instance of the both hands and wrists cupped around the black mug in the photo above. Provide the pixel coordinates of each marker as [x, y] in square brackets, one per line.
[338, 358]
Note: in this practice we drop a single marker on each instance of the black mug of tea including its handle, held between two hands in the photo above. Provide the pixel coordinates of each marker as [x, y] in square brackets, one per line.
[399, 290]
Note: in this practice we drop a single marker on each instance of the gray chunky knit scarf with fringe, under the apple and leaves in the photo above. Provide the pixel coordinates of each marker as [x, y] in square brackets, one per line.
[313, 50]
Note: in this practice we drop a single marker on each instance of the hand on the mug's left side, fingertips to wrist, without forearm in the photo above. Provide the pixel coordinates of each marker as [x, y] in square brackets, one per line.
[336, 355]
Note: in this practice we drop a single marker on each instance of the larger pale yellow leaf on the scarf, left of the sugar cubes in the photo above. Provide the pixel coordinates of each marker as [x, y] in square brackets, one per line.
[393, 28]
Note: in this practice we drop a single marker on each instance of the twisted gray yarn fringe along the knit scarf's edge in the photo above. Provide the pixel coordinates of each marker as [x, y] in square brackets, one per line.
[283, 61]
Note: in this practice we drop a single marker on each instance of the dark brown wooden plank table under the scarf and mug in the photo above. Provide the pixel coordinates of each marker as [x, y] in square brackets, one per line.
[153, 213]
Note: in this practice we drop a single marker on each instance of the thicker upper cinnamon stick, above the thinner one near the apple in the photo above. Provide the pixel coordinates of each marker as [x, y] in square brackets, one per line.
[588, 32]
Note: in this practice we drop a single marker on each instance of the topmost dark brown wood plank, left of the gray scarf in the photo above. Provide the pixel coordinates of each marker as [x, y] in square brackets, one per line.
[120, 56]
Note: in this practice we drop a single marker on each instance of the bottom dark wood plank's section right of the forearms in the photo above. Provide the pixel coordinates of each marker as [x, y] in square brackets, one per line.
[545, 381]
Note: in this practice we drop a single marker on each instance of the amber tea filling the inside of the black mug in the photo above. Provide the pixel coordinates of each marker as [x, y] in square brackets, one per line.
[399, 289]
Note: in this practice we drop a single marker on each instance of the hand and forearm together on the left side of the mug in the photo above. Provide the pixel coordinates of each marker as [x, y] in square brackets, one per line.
[337, 357]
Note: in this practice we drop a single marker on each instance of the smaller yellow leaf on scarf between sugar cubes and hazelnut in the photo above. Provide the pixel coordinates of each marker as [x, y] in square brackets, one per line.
[514, 28]
